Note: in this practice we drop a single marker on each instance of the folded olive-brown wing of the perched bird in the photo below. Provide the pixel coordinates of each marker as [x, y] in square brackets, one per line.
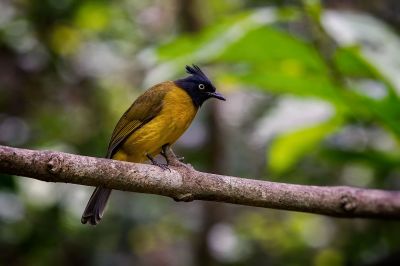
[143, 110]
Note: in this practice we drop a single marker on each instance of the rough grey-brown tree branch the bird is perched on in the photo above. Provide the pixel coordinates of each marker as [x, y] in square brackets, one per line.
[187, 184]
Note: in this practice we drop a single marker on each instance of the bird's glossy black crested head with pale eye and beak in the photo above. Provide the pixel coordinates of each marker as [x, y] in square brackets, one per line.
[198, 86]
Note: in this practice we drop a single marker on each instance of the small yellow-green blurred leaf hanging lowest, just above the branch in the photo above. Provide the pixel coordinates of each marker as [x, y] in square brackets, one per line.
[287, 149]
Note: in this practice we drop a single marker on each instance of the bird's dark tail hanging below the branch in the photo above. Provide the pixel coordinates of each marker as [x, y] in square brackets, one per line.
[95, 207]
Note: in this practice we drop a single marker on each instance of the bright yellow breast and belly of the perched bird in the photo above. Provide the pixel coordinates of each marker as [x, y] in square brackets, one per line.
[174, 118]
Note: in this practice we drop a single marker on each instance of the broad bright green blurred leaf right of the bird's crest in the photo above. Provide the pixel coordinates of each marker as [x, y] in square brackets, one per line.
[273, 60]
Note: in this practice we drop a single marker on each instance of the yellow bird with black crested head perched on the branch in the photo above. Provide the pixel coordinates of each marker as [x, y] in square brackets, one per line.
[154, 122]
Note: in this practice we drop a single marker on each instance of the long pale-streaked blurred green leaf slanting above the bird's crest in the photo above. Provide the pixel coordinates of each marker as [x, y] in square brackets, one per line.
[208, 45]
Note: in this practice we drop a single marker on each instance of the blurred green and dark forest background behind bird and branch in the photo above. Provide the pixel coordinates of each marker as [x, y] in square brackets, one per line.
[313, 98]
